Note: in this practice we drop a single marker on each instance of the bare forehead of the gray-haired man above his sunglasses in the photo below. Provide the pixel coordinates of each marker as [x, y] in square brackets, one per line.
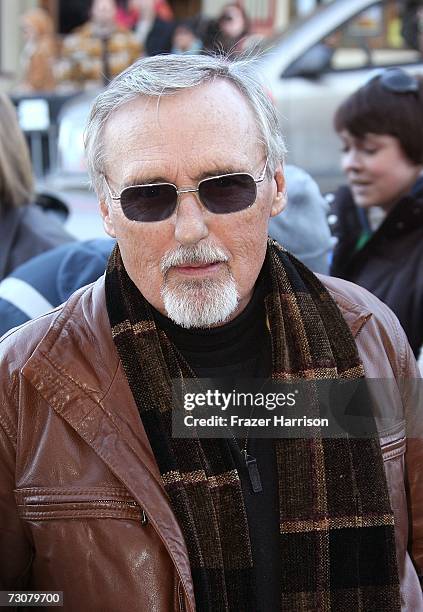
[213, 117]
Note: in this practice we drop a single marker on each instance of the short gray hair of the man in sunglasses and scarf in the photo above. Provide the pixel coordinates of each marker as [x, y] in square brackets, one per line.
[166, 75]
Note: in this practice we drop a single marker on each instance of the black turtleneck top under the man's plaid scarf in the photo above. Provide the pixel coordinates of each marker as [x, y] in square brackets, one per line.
[242, 348]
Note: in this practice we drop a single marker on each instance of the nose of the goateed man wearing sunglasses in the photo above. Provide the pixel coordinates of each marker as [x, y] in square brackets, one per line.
[190, 225]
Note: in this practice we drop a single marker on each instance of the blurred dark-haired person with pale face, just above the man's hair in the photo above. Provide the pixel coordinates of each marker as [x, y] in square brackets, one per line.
[230, 33]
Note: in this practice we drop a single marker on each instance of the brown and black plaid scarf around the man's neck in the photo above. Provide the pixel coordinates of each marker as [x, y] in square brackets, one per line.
[337, 541]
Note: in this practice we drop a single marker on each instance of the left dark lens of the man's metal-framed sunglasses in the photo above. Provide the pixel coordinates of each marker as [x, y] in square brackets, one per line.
[148, 203]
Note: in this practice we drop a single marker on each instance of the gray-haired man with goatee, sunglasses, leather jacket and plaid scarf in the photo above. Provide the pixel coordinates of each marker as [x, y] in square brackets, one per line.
[97, 498]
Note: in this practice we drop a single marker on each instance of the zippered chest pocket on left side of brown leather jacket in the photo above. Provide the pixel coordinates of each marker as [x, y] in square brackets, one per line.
[46, 503]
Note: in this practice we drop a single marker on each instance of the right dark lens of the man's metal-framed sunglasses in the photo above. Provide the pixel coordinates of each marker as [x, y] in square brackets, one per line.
[228, 194]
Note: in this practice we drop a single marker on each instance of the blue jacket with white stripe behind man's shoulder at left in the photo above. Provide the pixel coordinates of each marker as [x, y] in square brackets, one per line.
[49, 279]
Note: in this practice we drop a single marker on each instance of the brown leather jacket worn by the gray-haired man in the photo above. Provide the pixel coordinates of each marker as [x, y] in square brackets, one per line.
[82, 507]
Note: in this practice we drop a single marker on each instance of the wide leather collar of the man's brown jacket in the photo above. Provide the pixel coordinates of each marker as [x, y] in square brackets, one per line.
[76, 369]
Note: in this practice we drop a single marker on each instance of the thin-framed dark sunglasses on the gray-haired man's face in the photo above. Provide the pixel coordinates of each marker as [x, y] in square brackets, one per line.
[222, 195]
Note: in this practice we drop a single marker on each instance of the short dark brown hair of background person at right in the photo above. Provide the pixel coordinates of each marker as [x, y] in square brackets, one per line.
[374, 109]
